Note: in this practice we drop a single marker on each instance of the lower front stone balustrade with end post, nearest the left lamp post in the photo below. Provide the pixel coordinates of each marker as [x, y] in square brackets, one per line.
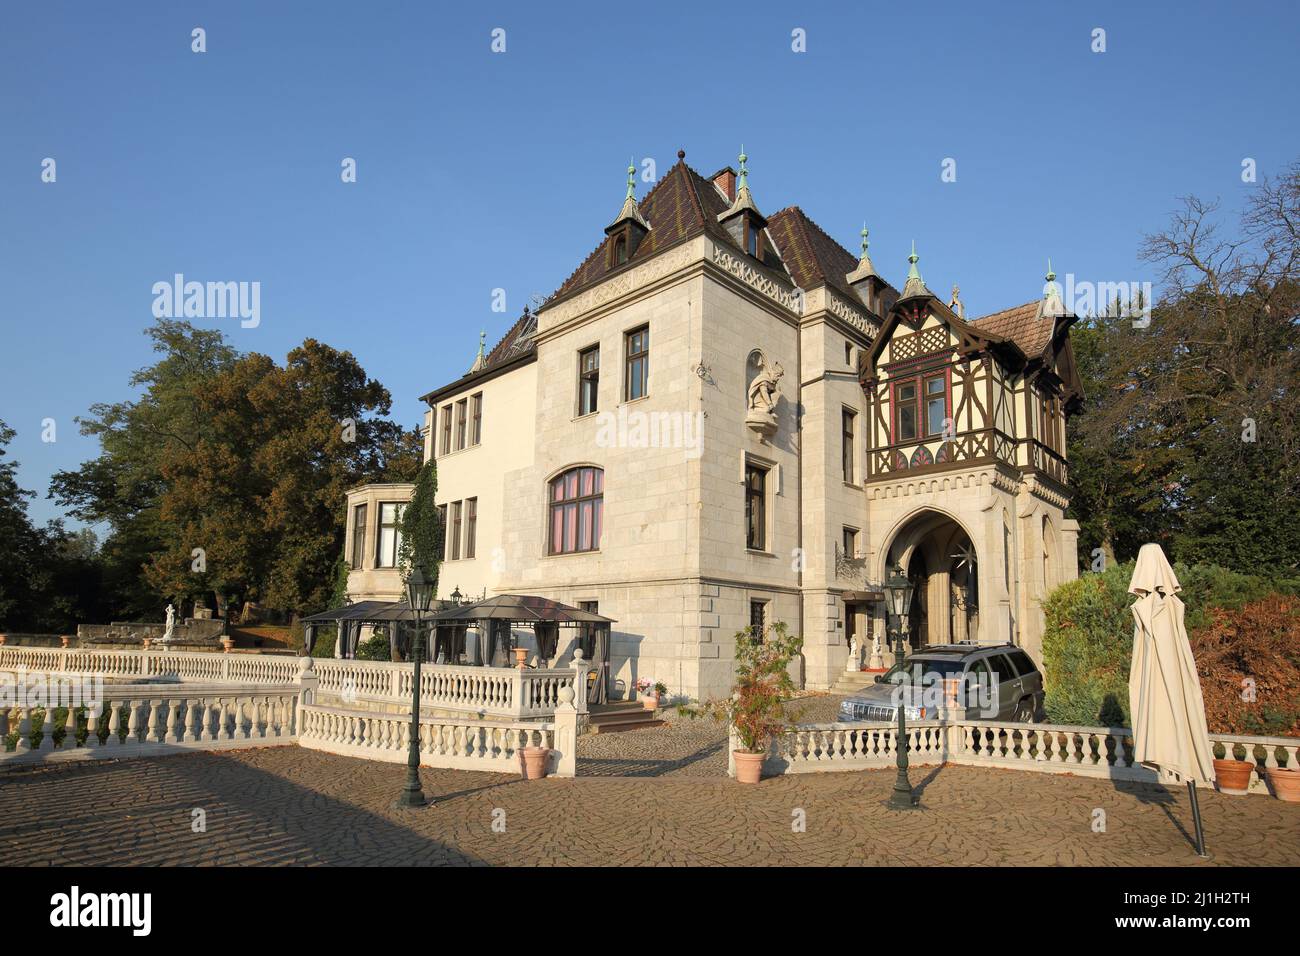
[453, 743]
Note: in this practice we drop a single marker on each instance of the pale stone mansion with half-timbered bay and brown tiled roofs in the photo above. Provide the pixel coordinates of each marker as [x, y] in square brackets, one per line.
[725, 418]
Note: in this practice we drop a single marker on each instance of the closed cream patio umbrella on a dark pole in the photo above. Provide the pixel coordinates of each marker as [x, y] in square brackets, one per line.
[1165, 700]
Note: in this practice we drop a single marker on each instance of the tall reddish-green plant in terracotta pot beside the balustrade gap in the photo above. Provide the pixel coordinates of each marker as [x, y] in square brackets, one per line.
[757, 708]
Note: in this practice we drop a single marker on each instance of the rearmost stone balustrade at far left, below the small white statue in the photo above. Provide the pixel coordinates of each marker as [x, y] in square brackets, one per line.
[154, 664]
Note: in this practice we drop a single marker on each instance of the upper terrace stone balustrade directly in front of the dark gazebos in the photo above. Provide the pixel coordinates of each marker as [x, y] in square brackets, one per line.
[512, 694]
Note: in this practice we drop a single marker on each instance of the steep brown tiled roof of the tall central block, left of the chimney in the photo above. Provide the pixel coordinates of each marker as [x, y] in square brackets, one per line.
[682, 205]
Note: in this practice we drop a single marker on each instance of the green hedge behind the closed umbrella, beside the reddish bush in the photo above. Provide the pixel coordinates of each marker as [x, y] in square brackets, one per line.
[1089, 641]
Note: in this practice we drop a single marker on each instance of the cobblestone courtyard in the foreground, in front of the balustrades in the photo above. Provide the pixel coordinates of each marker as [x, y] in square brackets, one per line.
[292, 806]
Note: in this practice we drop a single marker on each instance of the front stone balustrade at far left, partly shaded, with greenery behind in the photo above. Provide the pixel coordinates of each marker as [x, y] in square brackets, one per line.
[149, 721]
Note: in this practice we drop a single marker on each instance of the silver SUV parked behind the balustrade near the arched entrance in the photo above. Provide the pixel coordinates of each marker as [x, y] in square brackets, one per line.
[987, 682]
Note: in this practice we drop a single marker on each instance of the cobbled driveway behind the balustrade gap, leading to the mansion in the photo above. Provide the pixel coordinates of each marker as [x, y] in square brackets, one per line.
[686, 747]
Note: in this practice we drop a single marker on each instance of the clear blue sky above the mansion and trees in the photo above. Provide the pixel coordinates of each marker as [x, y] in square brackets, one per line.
[480, 171]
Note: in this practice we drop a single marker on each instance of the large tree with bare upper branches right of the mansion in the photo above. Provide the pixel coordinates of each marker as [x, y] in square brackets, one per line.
[1191, 435]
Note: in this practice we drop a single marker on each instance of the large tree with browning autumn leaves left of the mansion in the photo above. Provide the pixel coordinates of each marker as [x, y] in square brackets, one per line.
[229, 475]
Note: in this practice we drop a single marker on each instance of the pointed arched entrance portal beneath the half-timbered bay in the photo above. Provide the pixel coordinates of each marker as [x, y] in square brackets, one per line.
[941, 560]
